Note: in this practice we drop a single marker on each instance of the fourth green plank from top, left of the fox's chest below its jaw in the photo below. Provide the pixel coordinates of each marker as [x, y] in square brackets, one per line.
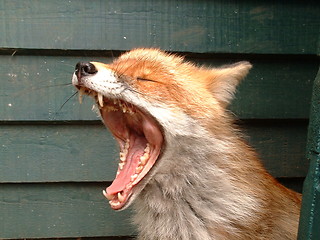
[58, 211]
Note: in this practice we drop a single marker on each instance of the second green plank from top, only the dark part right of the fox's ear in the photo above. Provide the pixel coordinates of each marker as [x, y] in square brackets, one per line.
[275, 89]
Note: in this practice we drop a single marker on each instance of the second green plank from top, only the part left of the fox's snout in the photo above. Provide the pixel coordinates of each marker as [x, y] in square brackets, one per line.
[35, 87]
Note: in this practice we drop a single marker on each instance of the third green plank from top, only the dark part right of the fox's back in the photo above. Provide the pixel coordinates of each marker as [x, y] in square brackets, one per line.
[281, 146]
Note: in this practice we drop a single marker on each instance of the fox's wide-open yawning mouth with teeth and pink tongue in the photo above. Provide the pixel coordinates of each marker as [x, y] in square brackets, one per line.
[140, 139]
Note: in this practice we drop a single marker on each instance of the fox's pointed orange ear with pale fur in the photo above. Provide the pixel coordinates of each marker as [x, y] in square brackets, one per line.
[225, 80]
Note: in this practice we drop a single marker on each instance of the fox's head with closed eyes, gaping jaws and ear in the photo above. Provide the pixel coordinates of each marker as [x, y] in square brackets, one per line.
[148, 99]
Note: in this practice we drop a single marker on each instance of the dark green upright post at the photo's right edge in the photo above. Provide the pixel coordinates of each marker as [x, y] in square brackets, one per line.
[310, 213]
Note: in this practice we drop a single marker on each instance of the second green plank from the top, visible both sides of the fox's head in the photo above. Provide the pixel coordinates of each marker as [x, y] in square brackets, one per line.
[33, 88]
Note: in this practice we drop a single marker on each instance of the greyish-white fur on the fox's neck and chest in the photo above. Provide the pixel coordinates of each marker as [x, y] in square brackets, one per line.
[192, 195]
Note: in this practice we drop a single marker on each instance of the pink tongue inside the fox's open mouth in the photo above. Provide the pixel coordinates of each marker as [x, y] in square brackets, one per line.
[136, 150]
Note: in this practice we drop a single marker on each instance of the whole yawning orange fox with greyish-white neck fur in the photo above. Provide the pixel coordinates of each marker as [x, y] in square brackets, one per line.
[184, 165]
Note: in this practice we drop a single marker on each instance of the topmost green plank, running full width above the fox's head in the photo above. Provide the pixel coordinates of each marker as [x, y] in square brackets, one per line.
[192, 26]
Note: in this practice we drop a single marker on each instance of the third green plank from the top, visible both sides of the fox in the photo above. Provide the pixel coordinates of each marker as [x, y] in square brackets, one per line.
[64, 153]
